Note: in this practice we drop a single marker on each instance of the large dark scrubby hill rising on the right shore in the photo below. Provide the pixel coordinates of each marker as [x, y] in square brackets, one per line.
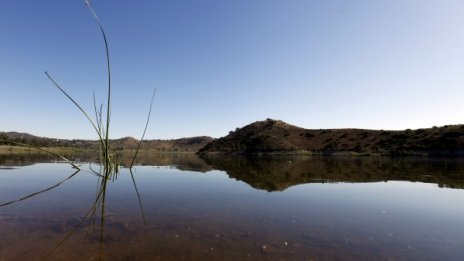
[275, 136]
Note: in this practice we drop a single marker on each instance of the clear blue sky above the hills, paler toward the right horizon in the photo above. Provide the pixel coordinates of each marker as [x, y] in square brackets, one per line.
[218, 65]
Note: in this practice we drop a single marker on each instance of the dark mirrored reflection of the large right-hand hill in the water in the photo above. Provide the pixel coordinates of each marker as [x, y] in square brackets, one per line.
[274, 173]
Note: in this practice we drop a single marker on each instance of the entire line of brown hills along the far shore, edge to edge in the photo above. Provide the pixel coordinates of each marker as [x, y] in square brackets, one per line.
[277, 137]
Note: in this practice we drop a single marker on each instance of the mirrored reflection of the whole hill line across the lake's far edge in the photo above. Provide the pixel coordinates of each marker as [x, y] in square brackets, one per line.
[277, 173]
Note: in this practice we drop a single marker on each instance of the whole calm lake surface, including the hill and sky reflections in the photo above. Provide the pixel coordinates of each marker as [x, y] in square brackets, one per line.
[181, 207]
